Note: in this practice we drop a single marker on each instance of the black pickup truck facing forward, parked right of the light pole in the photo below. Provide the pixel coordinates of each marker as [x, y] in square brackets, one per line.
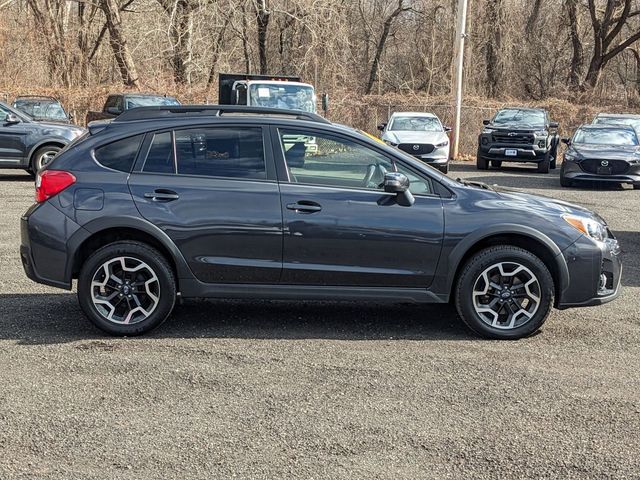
[519, 135]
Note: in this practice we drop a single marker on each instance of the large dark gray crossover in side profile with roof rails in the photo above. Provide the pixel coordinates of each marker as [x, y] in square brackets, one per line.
[231, 202]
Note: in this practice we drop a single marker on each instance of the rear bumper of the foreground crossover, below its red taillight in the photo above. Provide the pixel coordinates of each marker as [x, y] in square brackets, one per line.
[44, 231]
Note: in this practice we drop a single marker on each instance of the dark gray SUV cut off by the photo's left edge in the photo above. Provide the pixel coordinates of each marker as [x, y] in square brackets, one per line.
[29, 144]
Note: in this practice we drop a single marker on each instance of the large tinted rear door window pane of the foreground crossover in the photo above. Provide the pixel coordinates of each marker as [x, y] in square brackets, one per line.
[221, 152]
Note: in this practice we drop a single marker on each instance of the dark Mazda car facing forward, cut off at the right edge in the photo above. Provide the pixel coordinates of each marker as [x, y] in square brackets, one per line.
[602, 153]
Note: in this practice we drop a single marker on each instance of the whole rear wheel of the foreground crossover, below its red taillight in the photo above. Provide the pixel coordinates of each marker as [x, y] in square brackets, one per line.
[126, 288]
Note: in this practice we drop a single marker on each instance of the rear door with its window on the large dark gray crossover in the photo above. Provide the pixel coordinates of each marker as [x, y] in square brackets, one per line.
[213, 190]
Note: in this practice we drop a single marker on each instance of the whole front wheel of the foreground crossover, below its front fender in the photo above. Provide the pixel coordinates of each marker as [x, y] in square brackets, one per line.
[504, 292]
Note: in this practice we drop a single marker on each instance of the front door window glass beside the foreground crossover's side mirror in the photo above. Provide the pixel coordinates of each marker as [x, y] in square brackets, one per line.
[320, 159]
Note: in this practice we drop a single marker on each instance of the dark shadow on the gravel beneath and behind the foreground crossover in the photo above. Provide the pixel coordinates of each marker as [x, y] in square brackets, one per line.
[36, 319]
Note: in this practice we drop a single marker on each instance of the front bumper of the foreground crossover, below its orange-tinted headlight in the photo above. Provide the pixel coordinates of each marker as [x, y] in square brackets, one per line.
[595, 272]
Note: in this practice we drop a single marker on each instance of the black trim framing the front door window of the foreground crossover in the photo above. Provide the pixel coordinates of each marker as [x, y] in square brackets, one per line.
[283, 169]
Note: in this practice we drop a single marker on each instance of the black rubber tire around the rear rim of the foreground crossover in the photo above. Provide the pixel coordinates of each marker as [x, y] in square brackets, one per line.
[164, 286]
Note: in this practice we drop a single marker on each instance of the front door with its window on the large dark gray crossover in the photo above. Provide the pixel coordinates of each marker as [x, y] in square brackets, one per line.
[342, 229]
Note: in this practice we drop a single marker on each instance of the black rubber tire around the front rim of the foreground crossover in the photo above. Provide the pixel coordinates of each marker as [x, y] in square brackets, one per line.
[471, 274]
